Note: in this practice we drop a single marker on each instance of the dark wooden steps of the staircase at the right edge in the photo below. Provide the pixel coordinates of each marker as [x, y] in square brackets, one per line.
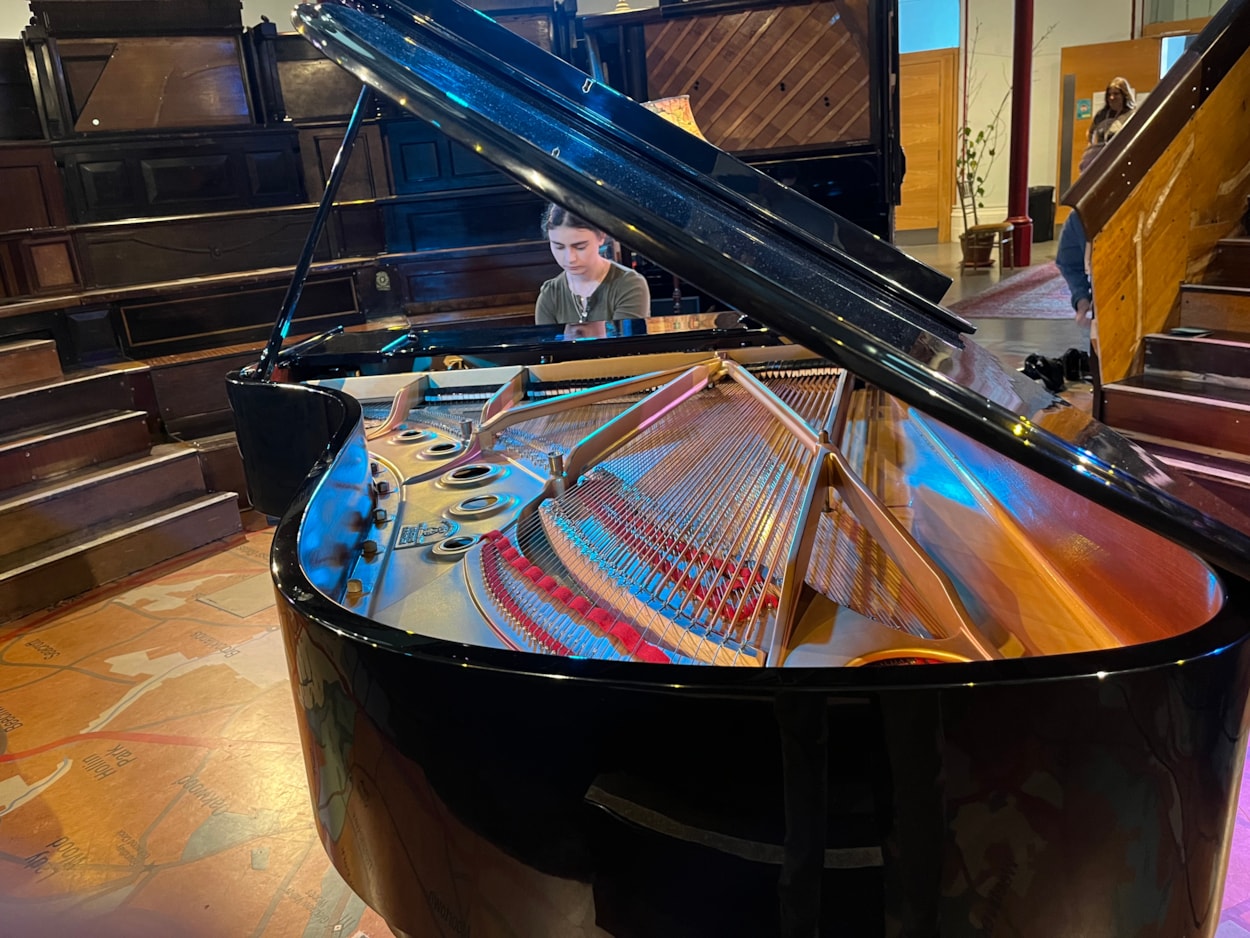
[1191, 405]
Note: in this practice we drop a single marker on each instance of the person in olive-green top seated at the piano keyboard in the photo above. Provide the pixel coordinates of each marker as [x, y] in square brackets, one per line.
[593, 290]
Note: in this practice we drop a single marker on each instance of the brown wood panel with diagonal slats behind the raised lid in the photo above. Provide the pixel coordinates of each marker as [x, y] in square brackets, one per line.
[768, 78]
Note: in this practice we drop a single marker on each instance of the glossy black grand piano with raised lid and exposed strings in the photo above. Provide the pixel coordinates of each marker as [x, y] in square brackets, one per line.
[811, 621]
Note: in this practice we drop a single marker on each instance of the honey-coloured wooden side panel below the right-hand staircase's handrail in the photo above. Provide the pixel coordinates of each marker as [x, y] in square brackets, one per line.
[1167, 231]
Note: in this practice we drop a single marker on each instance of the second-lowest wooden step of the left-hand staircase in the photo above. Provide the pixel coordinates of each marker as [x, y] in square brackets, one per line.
[46, 512]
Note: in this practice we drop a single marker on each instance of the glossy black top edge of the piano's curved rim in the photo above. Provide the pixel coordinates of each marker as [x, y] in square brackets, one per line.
[294, 588]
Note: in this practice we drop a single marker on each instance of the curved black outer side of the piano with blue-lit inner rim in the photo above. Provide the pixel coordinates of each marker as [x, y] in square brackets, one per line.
[464, 790]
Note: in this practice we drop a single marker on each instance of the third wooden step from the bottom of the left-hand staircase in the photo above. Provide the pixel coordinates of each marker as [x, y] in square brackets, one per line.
[52, 450]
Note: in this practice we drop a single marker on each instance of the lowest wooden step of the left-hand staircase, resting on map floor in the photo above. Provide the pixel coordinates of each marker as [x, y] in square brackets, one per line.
[93, 557]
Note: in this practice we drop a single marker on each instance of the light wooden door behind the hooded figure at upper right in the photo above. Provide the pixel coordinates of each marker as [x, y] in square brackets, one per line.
[1092, 68]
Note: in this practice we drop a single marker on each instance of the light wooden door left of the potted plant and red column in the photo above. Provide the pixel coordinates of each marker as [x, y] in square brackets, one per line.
[928, 86]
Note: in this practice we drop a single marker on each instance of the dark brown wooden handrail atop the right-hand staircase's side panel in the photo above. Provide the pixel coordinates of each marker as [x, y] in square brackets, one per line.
[1128, 158]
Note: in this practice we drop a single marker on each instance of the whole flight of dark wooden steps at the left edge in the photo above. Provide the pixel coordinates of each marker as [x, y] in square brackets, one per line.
[86, 498]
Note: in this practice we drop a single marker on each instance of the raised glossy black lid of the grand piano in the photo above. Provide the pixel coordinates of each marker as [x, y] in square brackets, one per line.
[757, 246]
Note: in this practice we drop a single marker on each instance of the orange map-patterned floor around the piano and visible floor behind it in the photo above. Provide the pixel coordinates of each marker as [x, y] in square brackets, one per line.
[152, 781]
